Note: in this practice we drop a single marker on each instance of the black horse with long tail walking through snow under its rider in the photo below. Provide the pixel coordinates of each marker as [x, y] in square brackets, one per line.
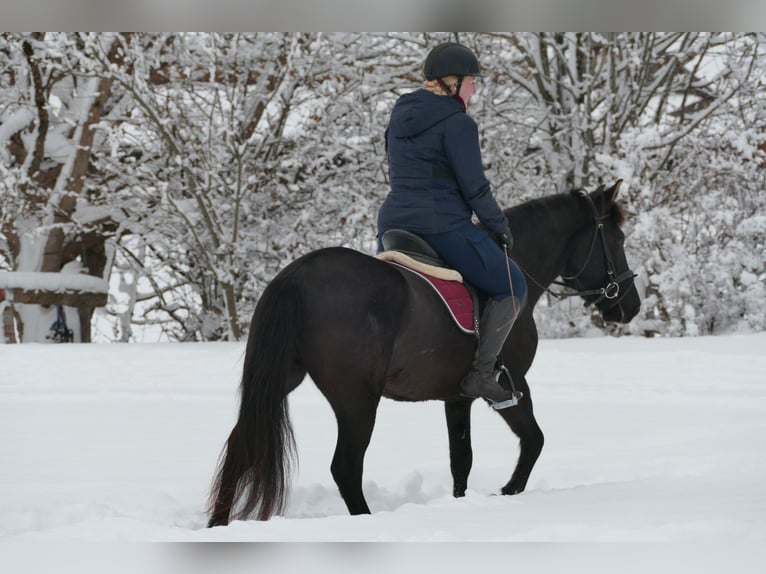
[365, 329]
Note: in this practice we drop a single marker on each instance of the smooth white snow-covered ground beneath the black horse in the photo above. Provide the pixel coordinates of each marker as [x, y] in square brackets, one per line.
[647, 440]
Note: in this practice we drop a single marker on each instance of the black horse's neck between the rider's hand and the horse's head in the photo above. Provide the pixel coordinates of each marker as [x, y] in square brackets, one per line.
[543, 230]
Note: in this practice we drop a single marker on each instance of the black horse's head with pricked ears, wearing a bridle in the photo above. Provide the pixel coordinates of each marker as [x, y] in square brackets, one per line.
[597, 267]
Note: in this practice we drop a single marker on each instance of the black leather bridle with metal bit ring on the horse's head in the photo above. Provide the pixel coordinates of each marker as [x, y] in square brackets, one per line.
[611, 291]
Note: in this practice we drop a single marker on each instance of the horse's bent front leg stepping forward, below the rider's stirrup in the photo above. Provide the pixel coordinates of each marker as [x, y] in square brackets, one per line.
[522, 421]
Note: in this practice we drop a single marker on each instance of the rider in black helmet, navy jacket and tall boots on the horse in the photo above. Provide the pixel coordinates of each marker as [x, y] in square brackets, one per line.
[437, 182]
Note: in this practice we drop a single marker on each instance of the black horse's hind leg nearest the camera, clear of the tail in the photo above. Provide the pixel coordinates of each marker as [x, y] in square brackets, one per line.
[355, 414]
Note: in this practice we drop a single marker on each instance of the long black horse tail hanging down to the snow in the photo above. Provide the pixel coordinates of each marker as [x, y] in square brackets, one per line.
[255, 464]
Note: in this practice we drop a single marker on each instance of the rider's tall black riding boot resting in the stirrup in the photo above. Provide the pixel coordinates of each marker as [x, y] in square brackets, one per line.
[495, 324]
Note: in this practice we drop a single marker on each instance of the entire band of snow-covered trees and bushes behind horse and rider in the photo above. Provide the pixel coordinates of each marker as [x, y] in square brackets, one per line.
[191, 167]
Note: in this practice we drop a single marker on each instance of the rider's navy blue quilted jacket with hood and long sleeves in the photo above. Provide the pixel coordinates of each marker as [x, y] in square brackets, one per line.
[435, 168]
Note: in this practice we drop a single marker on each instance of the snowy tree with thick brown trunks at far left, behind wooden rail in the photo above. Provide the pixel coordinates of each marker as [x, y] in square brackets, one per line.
[52, 106]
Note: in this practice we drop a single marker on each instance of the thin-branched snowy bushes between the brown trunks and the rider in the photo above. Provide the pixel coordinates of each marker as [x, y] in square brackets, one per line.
[255, 148]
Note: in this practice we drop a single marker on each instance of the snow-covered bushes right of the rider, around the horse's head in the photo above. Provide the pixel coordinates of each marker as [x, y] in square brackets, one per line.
[677, 116]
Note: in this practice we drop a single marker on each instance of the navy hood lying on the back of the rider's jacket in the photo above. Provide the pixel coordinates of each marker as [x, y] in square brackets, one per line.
[420, 110]
